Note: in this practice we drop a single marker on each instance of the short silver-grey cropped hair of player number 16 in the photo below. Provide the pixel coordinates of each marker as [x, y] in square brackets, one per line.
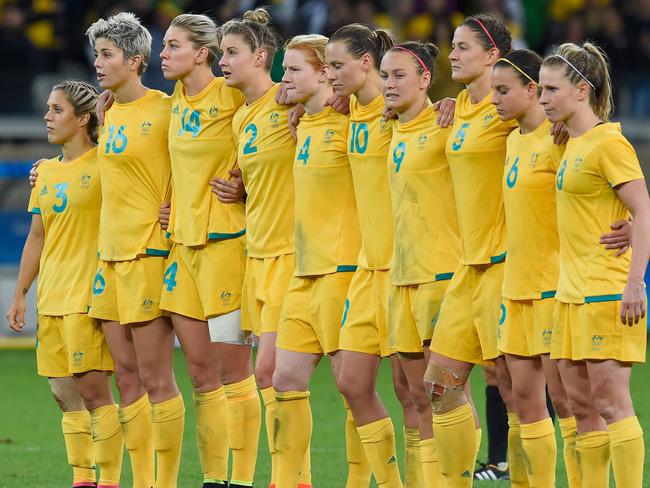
[127, 33]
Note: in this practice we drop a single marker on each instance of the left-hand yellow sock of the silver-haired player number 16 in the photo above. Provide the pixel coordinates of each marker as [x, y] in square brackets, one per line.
[138, 439]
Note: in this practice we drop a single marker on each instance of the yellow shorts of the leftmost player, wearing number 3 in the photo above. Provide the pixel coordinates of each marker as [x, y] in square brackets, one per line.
[70, 344]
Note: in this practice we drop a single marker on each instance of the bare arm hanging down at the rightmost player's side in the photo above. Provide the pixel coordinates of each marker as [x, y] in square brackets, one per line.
[634, 195]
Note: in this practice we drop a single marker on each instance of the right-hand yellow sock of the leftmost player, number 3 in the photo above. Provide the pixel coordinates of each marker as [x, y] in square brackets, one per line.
[108, 443]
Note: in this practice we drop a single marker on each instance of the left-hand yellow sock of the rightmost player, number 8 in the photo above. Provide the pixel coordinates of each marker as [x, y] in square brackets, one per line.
[593, 458]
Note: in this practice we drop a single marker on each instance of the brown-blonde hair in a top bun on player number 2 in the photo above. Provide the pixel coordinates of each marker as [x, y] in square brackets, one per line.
[255, 30]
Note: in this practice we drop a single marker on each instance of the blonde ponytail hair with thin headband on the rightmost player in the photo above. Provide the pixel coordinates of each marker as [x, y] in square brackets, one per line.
[588, 64]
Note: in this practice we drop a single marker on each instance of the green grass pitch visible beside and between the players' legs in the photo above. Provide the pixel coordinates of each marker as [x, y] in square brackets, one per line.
[32, 452]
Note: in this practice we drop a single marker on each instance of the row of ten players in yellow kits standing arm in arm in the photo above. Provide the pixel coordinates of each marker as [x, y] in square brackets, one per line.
[370, 228]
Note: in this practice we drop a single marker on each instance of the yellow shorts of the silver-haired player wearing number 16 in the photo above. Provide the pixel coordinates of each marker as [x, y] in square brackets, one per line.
[128, 292]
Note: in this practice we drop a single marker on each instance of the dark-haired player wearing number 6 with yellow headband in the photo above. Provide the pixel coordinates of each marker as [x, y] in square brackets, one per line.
[530, 276]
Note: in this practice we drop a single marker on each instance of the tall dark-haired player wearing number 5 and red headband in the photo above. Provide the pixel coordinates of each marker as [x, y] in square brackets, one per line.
[466, 330]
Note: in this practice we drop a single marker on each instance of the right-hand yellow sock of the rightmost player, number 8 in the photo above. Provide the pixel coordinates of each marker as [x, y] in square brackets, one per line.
[628, 450]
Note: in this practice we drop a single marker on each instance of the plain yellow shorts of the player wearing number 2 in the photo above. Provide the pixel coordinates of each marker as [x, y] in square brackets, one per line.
[265, 286]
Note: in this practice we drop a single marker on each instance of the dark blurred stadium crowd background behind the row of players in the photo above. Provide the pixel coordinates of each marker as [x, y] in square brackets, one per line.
[42, 42]
